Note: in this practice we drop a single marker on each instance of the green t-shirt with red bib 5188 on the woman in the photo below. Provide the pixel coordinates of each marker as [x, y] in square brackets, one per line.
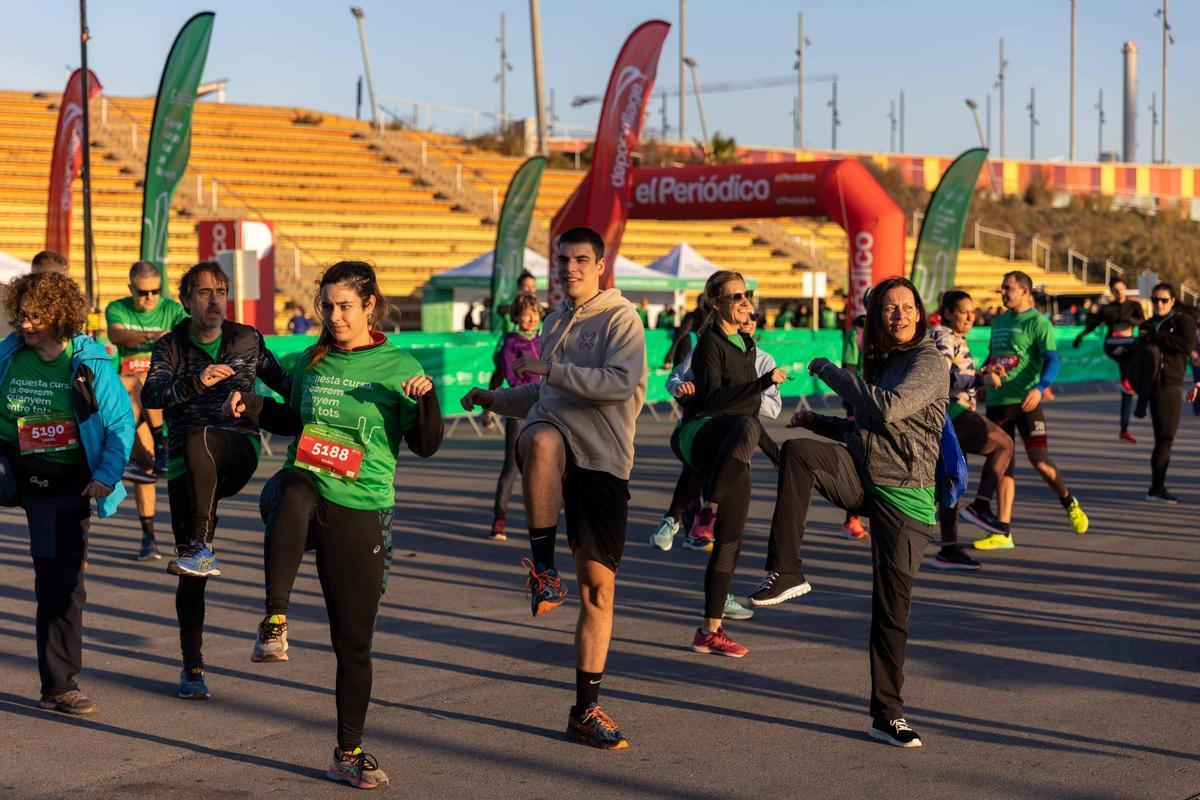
[355, 401]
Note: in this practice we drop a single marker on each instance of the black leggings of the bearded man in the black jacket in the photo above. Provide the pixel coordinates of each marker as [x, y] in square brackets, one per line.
[219, 464]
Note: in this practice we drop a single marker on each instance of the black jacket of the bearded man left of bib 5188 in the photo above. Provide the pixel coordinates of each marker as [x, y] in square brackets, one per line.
[173, 383]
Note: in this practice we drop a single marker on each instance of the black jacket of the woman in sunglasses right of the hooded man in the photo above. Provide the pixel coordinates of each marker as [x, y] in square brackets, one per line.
[728, 383]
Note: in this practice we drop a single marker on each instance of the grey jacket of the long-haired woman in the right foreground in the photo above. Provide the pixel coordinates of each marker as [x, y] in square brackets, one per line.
[897, 434]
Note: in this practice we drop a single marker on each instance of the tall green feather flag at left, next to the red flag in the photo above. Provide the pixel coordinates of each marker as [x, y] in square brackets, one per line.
[171, 136]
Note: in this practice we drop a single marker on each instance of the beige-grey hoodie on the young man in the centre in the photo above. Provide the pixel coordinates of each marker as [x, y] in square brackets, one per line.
[597, 382]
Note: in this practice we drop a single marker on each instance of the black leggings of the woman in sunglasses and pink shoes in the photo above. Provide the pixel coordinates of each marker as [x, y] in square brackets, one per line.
[722, 453]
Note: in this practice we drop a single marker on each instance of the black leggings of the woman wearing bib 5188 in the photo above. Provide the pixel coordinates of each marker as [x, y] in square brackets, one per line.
[353, 555]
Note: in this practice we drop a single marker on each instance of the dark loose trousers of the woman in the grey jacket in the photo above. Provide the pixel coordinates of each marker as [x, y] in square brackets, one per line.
[897, 546]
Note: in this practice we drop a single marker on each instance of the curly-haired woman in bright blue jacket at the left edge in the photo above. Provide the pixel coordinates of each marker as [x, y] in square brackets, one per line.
[67, 429]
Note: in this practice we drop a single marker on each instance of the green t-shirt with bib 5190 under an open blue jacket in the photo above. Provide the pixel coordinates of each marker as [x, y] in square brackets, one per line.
[39, 394]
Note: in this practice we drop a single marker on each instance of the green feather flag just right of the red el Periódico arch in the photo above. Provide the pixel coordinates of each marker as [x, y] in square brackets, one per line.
[941, 233]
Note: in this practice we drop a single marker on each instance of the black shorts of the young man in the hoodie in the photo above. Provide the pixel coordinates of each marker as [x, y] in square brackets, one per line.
[597, 509]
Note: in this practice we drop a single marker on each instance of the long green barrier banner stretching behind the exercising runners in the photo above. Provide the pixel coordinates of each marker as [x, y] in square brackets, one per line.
[459, 362]
